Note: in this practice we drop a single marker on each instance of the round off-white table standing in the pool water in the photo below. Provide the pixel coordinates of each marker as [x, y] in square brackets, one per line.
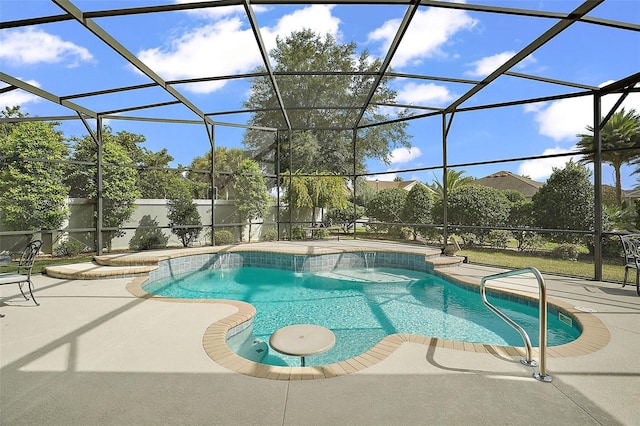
[302, 340]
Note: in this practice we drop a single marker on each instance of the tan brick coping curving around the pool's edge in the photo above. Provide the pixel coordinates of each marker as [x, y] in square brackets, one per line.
[594, 337]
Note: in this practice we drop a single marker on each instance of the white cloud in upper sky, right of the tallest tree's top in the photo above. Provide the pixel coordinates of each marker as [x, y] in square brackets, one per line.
[429, 30]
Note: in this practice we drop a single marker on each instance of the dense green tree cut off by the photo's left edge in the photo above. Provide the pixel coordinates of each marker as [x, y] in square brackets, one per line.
[33, 191]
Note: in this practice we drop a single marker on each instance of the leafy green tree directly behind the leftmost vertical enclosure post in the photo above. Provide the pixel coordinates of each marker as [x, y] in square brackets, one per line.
[119, 179]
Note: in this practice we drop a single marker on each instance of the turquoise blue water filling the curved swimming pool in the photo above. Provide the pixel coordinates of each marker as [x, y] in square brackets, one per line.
[362, 306]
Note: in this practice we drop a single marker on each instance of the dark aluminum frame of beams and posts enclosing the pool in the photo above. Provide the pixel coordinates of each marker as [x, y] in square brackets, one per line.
[560, 22]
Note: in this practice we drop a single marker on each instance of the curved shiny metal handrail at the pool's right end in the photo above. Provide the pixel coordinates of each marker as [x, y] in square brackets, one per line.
[541, 374]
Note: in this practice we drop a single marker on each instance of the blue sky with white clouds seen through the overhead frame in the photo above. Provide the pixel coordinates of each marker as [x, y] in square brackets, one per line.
[64, 58]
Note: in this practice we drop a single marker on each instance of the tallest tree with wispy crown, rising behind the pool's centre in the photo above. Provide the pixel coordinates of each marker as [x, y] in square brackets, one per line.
[320, 149]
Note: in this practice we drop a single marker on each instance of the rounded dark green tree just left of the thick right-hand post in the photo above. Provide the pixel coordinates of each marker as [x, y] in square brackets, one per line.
[565, 202]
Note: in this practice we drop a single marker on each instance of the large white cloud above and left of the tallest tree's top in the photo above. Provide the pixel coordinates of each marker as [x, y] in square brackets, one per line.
[206, 51]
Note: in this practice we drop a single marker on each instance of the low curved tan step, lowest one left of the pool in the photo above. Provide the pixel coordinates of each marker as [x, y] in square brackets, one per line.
[94, 271]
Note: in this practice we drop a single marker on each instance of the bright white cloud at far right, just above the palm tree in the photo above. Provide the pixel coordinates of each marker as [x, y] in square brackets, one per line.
[562, 120]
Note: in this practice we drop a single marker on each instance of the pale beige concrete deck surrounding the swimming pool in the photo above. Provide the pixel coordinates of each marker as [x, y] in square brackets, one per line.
[94, 354]
